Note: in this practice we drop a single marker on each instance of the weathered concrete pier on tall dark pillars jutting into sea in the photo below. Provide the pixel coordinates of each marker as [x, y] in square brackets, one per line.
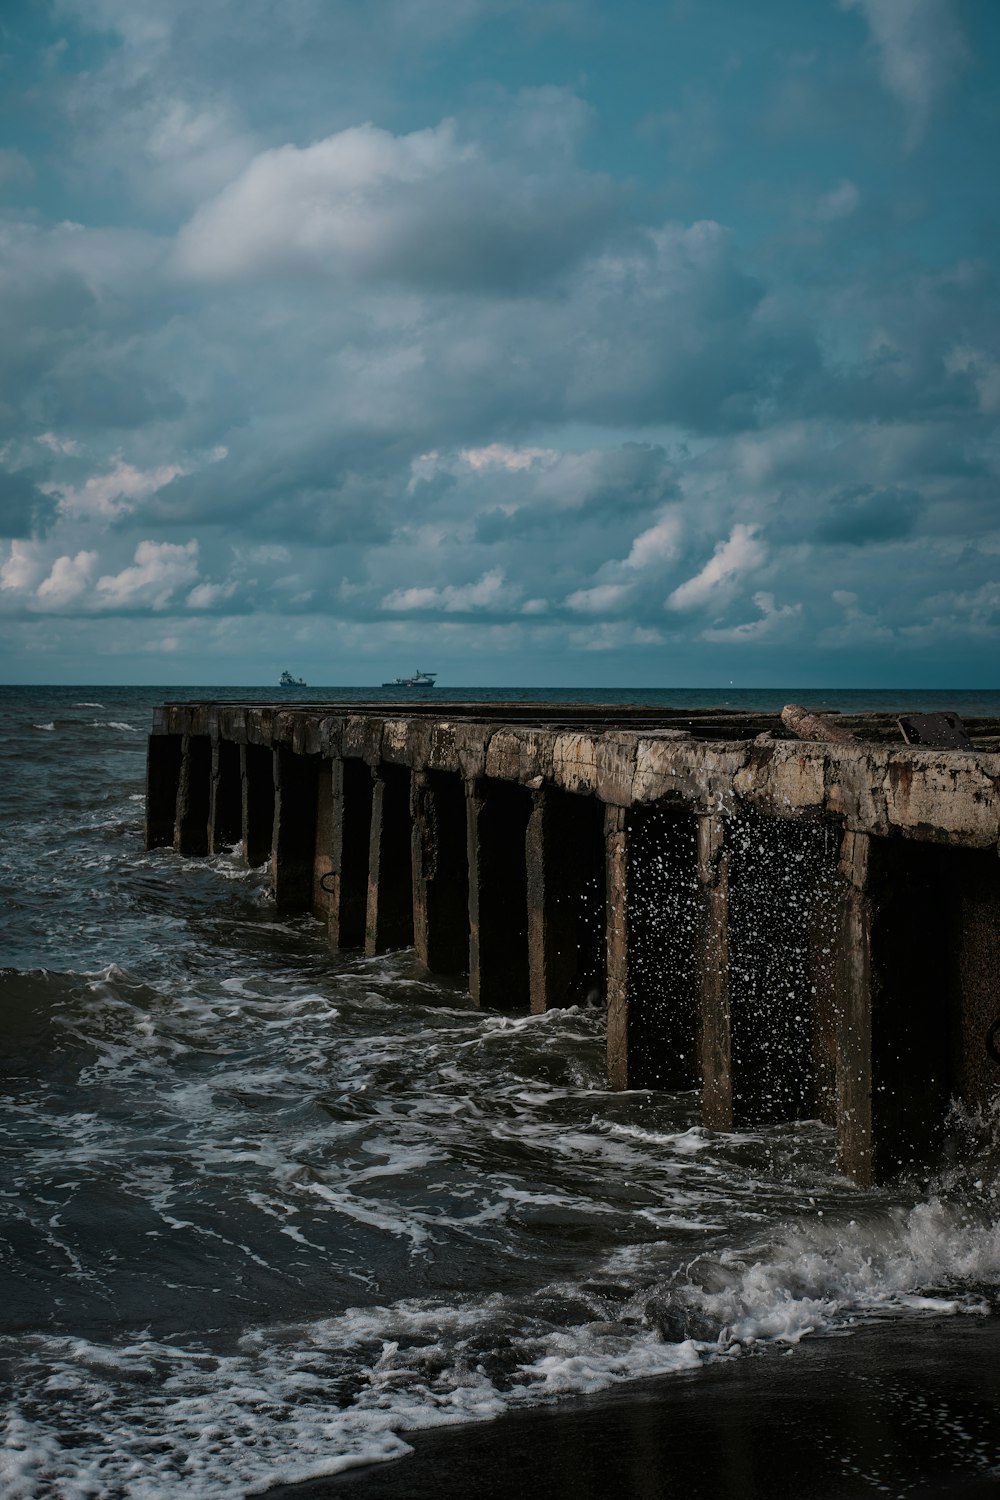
[794, 928]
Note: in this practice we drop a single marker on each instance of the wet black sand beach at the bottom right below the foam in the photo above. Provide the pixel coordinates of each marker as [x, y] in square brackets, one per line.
[891, 1411]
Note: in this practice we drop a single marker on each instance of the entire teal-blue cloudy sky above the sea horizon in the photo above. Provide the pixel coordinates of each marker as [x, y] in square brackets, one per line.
[612, 343]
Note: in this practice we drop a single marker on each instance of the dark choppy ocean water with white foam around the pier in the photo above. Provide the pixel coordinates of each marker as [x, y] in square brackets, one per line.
[268, 1211]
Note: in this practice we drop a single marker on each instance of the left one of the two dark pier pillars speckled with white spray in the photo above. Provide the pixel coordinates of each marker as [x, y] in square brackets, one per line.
[651, 973]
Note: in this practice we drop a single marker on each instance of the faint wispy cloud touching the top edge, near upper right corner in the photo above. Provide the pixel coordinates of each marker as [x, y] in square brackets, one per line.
[921, 53]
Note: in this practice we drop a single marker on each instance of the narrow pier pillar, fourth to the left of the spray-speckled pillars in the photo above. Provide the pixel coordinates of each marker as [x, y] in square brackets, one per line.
[391, 898]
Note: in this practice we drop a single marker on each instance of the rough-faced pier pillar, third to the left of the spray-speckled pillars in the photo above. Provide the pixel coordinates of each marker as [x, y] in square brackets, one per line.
[442, 872]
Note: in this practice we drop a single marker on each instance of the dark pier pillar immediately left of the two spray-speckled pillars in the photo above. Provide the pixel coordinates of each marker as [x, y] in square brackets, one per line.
[566, 899]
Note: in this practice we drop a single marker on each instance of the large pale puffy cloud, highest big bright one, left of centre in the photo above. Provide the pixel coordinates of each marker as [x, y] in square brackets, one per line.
[430, 209]
